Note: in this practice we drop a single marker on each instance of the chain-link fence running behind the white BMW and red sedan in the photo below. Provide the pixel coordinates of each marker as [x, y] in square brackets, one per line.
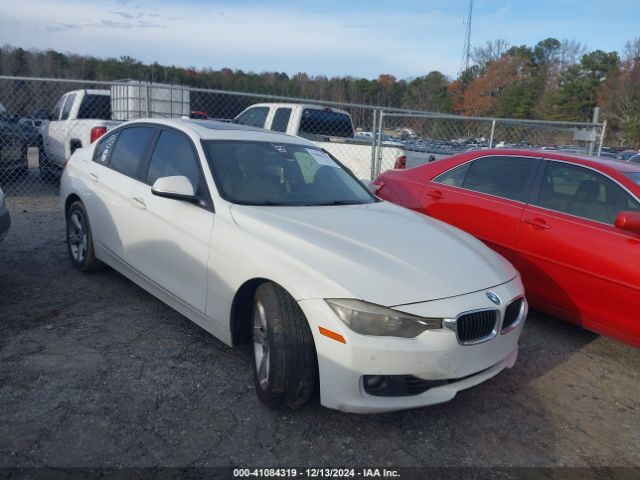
[42, 122]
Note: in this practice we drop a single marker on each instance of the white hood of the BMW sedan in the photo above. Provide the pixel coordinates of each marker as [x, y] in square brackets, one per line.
[379, 252]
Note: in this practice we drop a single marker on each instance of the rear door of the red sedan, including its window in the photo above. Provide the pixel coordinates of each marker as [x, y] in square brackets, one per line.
[485, 197]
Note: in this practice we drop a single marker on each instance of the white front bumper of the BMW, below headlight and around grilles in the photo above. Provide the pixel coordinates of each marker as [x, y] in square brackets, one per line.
[433, 355]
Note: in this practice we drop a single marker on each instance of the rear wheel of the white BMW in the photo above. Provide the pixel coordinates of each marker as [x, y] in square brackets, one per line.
[80, 239]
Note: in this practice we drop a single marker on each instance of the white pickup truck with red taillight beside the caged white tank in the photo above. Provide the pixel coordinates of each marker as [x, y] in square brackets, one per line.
[79, 118]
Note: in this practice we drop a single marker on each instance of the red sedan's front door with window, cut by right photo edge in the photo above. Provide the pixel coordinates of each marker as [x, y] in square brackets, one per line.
[574, 262]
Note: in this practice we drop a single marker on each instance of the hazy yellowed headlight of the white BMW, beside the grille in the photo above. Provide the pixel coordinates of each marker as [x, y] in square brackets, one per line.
[370, 319]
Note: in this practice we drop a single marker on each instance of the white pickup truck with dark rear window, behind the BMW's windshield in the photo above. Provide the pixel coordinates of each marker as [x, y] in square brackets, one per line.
[329, 128]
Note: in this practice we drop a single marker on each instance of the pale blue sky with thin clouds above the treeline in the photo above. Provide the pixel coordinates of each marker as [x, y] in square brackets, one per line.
[405, 38]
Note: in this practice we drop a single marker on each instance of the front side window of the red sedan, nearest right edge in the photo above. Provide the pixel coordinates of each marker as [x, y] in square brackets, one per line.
[583, 193]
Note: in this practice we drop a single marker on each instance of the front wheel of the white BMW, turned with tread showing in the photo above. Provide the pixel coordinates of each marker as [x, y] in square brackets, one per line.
[285, 365]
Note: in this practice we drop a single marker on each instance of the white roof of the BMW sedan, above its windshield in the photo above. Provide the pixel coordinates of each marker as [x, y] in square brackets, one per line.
[216, 130]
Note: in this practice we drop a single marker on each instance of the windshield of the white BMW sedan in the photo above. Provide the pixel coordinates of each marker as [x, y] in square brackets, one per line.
[262, 173]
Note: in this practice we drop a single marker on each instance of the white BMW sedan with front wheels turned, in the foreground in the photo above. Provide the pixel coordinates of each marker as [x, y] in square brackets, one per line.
[263, 237]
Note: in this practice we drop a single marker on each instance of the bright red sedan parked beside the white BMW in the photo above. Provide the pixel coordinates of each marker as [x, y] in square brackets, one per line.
[569, 224]
